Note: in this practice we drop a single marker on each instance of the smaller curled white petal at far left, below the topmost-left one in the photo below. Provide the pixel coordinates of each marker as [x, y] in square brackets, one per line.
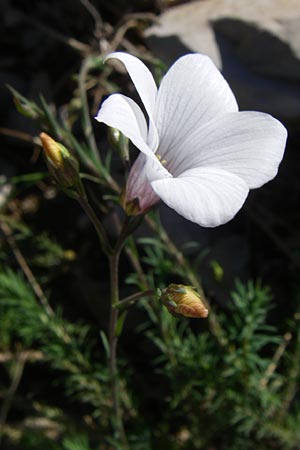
[124, 114]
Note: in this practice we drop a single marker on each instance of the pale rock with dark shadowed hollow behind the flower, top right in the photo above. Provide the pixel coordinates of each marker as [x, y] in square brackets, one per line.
[256, 45]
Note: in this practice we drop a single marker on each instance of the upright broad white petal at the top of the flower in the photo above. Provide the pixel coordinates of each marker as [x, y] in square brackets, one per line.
[192, 93]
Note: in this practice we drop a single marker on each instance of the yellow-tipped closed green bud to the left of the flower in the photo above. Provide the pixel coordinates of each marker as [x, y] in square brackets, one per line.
[63, 167]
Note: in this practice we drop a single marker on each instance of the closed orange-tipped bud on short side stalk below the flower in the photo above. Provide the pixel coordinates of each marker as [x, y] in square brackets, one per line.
[183, 301]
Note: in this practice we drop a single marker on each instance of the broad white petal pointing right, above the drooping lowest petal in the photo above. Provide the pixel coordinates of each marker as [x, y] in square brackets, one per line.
[247, 144]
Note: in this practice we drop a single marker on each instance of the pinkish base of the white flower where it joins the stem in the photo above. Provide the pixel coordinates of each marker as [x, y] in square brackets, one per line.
[138, 196]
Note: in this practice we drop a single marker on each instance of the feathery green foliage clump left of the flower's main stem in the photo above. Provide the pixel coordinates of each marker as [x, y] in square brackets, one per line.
[66, 347]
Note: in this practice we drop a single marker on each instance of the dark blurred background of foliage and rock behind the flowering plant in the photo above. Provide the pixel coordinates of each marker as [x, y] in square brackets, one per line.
[228, 384]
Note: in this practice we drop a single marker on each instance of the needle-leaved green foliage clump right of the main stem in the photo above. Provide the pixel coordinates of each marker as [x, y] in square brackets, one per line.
[211, 389]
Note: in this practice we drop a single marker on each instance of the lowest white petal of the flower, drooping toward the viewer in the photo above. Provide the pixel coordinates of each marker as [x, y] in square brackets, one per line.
[206, 196]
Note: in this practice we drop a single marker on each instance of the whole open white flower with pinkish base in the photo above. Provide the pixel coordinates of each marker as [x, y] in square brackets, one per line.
[200, 155]
